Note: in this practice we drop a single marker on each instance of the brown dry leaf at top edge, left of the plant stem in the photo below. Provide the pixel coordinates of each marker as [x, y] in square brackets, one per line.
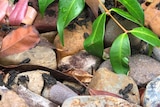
[93, 4]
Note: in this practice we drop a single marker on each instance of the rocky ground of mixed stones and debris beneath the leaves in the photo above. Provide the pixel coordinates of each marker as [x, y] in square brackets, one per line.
[52, 75]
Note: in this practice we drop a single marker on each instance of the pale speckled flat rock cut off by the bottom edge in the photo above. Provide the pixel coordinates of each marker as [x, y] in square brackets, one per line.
[97, 101]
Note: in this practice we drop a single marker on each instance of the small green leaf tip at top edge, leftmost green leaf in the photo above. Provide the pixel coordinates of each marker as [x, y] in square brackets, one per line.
[43, 4]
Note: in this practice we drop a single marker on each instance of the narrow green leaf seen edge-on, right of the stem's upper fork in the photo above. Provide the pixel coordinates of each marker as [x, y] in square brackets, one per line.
[126, 15]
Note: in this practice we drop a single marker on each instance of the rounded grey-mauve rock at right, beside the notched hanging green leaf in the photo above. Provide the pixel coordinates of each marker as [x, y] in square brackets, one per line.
[143, 69]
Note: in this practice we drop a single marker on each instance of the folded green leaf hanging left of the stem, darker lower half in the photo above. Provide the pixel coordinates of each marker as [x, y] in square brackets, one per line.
[94, 43]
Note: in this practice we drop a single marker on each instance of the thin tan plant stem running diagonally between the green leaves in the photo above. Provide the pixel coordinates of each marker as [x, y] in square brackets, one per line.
[108, 12]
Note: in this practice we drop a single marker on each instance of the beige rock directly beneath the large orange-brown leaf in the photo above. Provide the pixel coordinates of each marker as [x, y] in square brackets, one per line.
[39, 55]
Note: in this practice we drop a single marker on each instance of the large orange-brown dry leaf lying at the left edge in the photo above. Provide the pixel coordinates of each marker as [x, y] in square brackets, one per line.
[19, 40]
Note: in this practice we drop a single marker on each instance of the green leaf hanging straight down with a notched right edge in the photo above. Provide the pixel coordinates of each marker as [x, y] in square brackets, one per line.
[119, 53]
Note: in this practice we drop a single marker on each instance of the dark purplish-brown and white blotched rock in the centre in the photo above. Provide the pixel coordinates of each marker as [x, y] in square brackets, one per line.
[82, 60]
